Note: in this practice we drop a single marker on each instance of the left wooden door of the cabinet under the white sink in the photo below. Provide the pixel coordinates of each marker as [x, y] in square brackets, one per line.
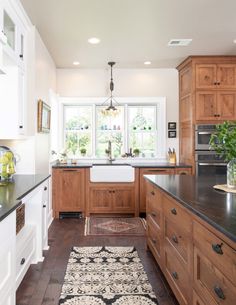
[100, 199]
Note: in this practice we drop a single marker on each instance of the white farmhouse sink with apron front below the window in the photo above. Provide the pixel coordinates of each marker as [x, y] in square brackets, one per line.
[112, 173]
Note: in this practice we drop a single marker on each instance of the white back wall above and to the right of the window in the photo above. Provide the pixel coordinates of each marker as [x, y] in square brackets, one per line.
[128, 83]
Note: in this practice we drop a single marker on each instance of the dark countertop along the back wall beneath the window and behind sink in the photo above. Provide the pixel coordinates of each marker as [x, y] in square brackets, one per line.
[126, 162]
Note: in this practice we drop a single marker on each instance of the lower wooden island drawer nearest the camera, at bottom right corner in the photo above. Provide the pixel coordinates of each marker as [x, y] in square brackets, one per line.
[210, 282]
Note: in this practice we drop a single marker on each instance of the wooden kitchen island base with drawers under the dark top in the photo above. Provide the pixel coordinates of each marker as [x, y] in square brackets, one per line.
[198, 262]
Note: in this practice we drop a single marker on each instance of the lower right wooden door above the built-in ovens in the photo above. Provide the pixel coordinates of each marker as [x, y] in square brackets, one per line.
[226, 102]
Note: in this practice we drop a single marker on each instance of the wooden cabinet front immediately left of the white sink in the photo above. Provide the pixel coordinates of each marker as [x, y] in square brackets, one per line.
[68, 189]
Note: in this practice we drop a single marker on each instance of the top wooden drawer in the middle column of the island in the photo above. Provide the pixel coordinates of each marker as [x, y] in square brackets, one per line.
[176, 214]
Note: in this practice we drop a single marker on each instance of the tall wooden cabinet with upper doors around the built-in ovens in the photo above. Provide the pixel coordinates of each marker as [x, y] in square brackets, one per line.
[207, 95]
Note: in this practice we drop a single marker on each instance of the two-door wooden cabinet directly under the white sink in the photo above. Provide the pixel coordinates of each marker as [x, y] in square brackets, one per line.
[111, 198]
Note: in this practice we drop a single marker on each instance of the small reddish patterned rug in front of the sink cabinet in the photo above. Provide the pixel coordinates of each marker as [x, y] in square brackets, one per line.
[115, 226]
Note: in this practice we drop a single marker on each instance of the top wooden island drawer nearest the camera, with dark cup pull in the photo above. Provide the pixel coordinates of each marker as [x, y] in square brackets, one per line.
[217, 251]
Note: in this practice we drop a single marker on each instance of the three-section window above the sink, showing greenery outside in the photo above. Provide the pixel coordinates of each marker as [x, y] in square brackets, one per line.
[87, 128]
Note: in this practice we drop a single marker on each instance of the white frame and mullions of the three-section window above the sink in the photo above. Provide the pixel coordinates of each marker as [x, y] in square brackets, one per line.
[158, 102]
